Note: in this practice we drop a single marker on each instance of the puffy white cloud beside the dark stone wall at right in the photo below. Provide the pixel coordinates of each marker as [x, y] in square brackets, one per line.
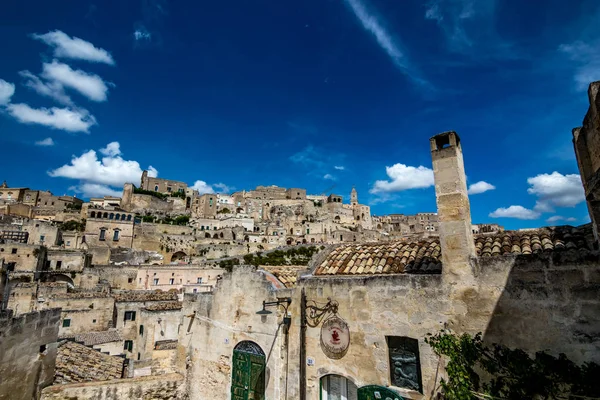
[556, 190]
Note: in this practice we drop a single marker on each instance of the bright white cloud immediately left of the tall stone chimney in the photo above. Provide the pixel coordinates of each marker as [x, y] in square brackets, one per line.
[404, 177]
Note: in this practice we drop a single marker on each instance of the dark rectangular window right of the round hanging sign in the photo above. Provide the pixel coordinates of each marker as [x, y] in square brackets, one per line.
[405, 365]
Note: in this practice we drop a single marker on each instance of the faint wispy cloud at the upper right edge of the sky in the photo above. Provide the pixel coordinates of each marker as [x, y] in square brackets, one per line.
[586, 57]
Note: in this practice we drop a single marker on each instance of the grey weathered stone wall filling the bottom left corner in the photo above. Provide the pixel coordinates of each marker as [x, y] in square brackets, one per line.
[27, 353]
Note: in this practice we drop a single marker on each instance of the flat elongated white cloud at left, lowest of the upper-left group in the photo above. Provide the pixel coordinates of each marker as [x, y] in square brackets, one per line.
[71, 120]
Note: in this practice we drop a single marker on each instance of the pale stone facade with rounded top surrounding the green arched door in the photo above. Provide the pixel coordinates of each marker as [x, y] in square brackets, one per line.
[223, 320]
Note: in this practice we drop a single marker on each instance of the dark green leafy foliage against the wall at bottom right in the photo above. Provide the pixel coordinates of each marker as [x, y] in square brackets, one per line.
[480, 371]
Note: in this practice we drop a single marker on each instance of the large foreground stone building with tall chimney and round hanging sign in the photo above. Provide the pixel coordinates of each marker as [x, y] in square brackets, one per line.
[534, 290]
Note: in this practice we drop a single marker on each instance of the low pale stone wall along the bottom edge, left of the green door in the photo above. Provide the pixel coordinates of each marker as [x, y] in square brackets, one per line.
[162, 387]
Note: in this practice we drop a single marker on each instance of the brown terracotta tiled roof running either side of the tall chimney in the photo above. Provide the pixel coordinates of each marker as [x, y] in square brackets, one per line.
[424, 257]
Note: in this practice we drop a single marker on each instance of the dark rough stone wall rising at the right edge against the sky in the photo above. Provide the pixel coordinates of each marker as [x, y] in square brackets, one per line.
[586, 141]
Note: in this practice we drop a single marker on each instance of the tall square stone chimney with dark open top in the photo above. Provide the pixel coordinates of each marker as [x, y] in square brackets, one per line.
[454, 211]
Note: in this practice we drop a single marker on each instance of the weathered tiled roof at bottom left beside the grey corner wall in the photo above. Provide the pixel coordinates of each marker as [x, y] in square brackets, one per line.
[78, 363]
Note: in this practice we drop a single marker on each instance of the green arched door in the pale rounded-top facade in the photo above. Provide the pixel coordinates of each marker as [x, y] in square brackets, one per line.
[248, 373]
